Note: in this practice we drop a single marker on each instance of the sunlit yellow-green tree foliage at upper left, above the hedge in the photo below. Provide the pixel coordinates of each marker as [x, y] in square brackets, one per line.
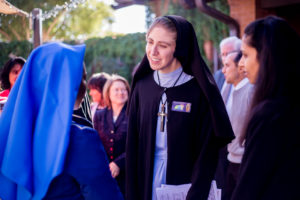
[84, 21]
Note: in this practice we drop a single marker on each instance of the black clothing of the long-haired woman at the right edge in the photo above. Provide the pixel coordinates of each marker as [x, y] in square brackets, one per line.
[270, 168]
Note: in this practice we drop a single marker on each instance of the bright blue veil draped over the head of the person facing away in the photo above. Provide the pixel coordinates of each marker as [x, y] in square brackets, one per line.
[32, 150]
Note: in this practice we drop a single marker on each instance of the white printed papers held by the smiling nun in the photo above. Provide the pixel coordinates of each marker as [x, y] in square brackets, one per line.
[179, 192]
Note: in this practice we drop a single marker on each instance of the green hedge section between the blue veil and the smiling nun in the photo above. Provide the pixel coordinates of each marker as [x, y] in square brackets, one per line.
[117, 54]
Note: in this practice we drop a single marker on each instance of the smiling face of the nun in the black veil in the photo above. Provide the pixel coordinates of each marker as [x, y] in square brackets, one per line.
[160, 49]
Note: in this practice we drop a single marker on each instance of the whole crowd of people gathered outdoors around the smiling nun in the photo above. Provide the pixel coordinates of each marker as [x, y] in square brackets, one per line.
[177, 124]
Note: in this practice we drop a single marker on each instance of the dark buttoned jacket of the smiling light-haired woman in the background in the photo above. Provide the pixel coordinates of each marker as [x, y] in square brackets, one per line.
[113, 136]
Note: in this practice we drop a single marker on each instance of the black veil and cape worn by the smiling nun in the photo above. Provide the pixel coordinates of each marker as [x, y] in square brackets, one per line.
[193, 139]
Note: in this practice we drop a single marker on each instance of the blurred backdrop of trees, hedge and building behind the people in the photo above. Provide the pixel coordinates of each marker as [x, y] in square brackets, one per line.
[115, 38]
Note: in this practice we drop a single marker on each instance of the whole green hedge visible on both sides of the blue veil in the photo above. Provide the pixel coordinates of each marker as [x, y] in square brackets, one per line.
[116, 54]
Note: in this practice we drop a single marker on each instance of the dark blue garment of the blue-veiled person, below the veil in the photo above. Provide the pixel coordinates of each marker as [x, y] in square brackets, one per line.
[86, 173]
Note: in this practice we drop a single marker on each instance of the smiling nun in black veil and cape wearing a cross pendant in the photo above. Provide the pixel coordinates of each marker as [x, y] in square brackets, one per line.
[177, 119]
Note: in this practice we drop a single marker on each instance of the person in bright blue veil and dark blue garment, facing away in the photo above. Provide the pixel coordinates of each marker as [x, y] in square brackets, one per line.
[52, 154]
